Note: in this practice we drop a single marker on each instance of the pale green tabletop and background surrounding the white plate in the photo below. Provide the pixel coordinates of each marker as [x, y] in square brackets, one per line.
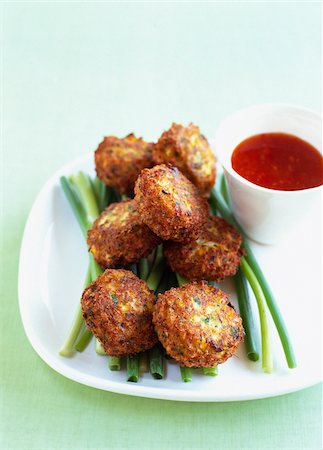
[74, 72]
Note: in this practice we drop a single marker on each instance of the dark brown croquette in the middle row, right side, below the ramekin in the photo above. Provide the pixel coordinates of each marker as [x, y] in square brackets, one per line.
[215, 255]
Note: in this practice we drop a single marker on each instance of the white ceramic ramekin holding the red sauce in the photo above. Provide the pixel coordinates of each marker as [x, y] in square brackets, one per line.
[266, 215]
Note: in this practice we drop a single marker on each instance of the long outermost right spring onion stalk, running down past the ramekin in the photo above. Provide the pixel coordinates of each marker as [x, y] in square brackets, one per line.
[217, 200]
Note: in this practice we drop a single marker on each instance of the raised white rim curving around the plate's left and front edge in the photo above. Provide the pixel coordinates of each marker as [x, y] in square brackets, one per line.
[133, 389]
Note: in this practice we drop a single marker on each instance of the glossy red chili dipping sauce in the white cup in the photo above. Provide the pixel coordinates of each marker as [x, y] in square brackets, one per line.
[278, 161]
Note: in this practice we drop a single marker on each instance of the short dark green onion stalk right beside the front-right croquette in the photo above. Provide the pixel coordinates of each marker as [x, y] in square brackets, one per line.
[246, 314]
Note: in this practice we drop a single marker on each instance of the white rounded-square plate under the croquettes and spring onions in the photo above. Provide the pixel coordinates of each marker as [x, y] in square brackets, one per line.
[53, 263]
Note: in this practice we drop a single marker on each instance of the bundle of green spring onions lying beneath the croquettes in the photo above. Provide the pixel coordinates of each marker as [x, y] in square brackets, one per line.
[88, 198]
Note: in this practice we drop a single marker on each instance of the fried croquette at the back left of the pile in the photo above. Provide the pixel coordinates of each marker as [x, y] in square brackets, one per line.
[118, 162]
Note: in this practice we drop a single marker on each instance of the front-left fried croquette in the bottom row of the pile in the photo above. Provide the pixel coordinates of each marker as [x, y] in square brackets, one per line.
[117, 308]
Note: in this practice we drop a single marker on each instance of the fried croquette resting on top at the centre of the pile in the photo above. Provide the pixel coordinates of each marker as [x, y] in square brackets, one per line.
[170, 204]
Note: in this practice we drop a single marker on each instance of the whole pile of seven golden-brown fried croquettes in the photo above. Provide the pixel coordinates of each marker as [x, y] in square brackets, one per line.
[167, 184]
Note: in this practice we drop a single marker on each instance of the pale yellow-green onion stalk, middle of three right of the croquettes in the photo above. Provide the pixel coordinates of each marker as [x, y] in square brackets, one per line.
[267, 360]
